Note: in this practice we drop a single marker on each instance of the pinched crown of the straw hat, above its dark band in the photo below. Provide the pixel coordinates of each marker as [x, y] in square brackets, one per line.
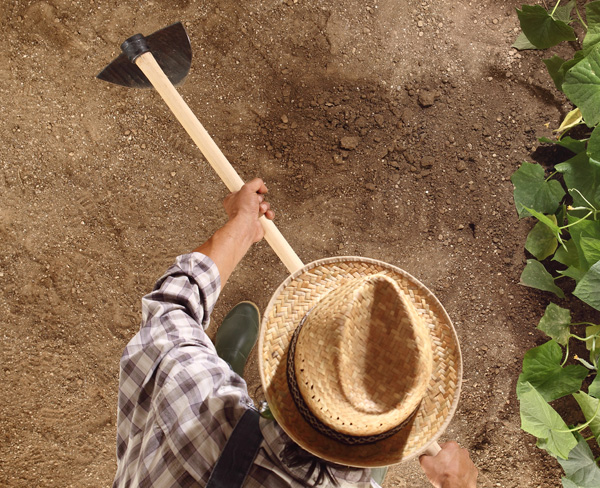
[363, 358]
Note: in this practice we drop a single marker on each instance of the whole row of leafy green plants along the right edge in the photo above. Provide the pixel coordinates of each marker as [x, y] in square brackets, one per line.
[565, 243]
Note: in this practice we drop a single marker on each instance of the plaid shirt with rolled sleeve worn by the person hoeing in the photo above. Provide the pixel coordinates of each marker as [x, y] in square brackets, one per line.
[179, 402]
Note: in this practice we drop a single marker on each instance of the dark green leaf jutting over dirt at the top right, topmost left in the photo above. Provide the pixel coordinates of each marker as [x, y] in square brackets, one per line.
[541, 29]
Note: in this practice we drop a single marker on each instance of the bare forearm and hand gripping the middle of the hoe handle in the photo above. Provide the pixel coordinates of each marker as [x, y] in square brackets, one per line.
[229, 244]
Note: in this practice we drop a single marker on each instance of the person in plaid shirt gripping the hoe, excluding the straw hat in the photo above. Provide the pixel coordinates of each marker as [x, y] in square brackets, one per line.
[179, 401]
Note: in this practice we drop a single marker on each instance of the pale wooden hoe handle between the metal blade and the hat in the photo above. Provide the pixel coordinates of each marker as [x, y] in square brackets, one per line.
[147, 63]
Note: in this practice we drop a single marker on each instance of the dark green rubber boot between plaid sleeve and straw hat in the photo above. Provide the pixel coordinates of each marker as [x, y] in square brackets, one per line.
[237, 335]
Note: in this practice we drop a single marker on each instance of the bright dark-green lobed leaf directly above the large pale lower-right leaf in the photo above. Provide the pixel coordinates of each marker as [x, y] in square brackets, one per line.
[542, 369]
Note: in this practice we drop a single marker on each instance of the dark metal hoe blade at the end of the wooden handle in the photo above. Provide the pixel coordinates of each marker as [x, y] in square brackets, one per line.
[173, 52]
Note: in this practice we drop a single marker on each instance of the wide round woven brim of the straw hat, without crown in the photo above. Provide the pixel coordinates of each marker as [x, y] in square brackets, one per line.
[293, 299]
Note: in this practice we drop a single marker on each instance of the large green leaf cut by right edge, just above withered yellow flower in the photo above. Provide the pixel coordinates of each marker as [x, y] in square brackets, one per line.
[582, 87]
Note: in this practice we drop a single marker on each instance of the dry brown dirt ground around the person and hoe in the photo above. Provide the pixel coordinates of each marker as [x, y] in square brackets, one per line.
[100, 189]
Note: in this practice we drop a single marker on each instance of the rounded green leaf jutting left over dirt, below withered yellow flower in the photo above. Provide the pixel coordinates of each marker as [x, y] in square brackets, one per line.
[533, 191]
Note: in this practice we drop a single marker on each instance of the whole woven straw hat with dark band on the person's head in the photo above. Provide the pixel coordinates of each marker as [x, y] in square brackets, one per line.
[359, 362]
